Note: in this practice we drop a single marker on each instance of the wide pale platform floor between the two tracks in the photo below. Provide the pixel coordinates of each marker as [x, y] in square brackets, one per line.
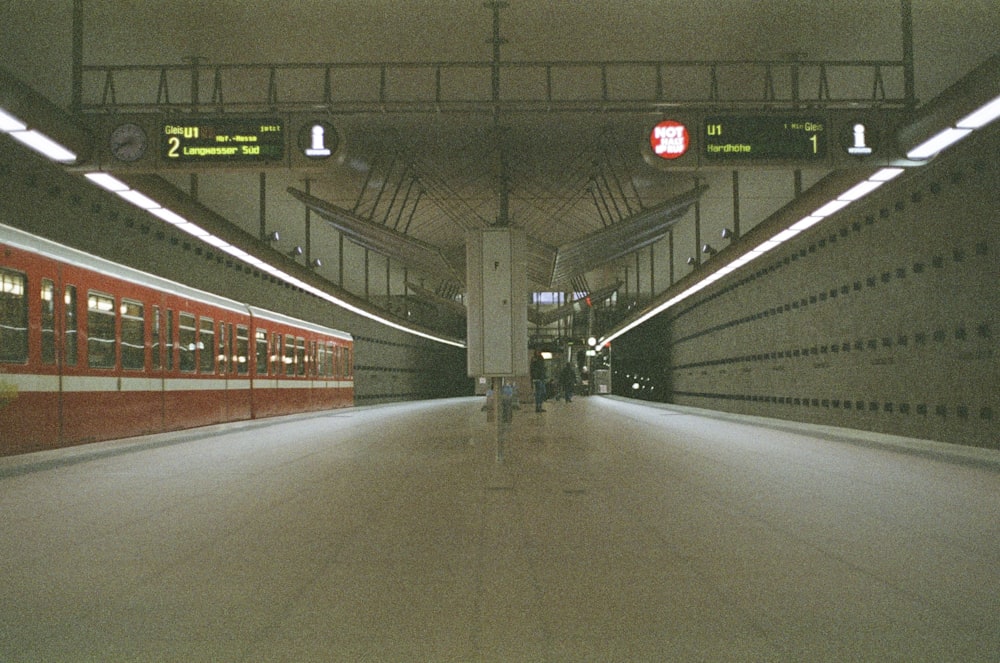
[611, 531]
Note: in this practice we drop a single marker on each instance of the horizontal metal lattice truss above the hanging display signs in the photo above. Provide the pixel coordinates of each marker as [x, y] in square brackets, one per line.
[624, 85]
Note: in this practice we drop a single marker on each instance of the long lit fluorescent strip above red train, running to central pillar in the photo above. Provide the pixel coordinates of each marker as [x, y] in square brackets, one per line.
[143, 201]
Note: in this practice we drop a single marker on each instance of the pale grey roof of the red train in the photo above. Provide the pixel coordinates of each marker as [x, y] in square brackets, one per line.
[28, 242]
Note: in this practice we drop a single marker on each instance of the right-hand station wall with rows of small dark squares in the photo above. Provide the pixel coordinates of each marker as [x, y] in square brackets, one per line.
[883, 318]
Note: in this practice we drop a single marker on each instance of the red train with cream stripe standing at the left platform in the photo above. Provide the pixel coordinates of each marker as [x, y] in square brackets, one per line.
[91, 350]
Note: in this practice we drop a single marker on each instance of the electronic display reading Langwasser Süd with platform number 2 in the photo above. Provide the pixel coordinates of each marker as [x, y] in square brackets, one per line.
[222, 140]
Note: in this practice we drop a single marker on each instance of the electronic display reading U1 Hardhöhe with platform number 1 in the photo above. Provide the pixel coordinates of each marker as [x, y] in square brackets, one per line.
[753, 137]
